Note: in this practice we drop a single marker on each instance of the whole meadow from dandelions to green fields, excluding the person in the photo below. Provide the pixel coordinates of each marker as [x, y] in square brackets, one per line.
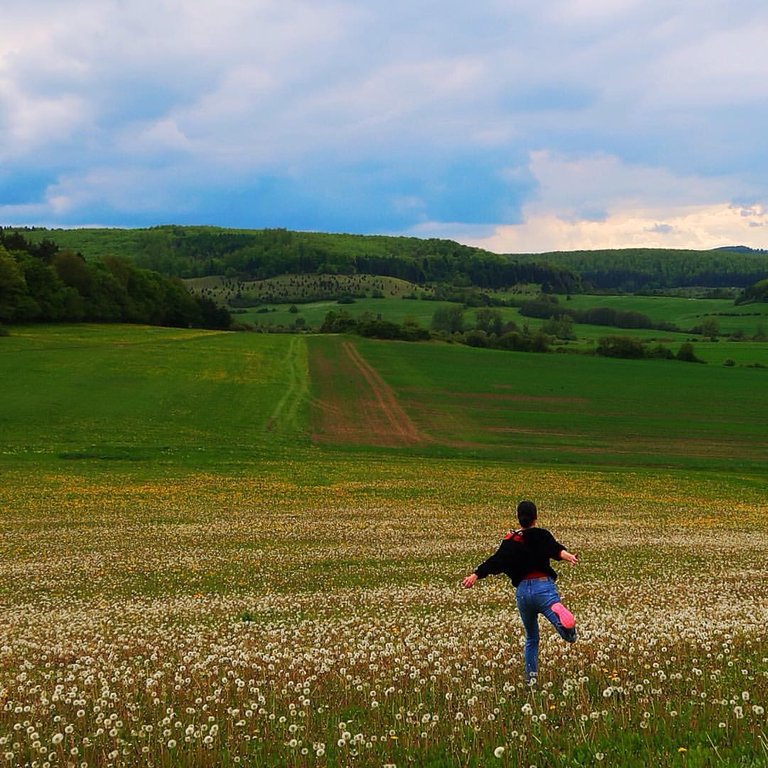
[191, 576]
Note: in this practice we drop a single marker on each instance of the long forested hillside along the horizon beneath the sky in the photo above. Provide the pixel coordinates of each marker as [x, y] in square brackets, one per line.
[194, 252]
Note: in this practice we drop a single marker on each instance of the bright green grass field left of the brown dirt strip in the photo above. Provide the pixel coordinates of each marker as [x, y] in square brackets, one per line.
[122, 392]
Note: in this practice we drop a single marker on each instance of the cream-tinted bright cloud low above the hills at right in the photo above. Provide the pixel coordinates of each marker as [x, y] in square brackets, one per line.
[599, 202]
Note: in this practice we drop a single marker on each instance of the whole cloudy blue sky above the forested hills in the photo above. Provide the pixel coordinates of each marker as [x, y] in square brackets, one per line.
[512, 125]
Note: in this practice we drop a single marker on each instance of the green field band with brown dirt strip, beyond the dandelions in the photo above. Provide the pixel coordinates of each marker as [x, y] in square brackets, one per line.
[146, 393]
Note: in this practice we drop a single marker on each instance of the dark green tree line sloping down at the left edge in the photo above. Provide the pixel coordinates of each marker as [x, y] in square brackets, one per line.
[39, 282]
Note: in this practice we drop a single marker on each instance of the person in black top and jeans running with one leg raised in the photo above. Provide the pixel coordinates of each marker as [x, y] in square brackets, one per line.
[524, 556]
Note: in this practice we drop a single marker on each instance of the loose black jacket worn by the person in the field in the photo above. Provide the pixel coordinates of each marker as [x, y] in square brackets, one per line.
[523, 552]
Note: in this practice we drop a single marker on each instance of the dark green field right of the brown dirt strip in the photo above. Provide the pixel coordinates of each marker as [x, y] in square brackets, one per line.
[574, 408]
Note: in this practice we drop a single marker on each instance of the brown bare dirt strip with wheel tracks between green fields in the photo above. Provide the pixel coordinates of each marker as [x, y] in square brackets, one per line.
[355, 405]
